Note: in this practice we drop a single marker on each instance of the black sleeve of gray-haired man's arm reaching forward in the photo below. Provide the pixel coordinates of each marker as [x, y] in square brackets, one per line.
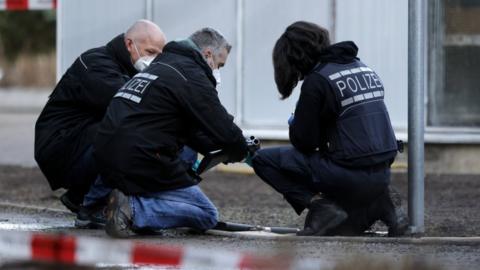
[203, 106]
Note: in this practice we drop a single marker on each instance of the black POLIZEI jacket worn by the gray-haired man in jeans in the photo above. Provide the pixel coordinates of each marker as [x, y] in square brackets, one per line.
[154, 115]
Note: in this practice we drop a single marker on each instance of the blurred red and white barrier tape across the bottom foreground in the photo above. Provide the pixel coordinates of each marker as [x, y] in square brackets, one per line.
[92, 251]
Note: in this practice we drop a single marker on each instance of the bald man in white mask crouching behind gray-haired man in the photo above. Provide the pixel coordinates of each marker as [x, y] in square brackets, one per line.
[65, 129]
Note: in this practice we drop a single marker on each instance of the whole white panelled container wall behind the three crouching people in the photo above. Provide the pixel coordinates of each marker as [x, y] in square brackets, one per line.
[248, 88]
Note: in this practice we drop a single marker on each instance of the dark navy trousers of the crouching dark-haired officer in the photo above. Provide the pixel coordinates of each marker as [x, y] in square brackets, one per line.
[299, 177]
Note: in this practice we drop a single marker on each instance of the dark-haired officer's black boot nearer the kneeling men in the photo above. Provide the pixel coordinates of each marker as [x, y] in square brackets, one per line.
[323, 215]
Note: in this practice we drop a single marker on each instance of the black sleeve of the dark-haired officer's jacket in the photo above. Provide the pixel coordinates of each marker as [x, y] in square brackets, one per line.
[315, 110]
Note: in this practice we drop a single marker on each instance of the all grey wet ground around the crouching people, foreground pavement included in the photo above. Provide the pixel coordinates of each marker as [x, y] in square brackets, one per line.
[26, 204]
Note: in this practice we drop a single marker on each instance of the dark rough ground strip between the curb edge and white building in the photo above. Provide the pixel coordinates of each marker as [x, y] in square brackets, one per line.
[450, 200]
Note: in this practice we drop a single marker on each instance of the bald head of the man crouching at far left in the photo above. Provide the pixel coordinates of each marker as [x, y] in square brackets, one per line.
[144, 38]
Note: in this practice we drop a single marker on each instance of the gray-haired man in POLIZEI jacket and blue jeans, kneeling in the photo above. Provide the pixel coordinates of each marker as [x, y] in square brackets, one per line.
[170, 104]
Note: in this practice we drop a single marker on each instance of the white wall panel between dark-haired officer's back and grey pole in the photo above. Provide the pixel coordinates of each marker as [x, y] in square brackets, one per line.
[380, 29]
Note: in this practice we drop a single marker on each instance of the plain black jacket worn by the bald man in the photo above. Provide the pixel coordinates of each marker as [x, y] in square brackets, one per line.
[68, 122]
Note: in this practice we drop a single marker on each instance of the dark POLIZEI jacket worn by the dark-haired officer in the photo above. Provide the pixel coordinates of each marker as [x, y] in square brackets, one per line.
[341, 111]
